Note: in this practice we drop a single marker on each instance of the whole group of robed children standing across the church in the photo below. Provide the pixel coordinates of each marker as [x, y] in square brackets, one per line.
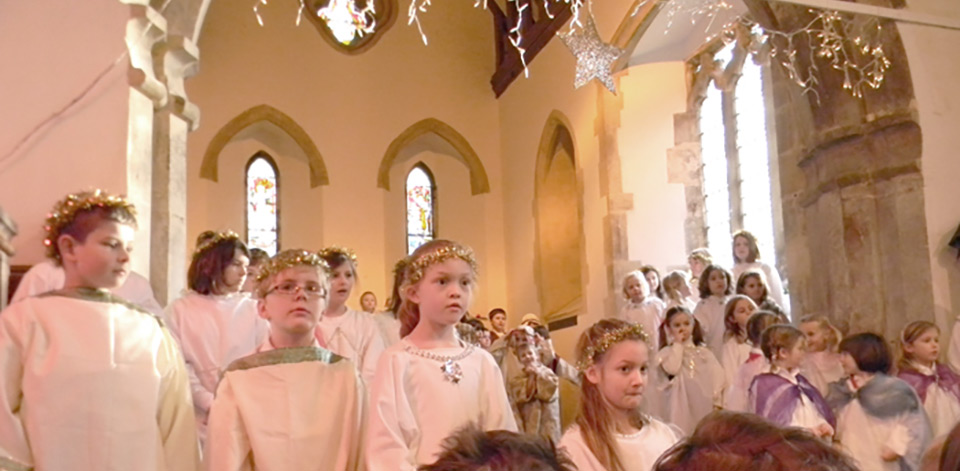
[288, 377]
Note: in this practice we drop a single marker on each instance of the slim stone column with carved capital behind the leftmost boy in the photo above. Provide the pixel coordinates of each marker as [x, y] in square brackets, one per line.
[178, 59]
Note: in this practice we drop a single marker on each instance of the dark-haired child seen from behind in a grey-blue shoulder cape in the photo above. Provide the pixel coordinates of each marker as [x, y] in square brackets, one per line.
[881, 423]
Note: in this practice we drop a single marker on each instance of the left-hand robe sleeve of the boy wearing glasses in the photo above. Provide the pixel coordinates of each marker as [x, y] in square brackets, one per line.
[228, 445]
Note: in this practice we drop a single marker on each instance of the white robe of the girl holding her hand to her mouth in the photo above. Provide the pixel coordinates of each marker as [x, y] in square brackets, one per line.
[696, 385]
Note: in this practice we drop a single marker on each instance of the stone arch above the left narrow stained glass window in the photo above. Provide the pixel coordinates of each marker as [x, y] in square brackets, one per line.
[267, 113]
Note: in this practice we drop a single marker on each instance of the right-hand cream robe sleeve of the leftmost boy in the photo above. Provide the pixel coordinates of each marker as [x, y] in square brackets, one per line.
[175, 416]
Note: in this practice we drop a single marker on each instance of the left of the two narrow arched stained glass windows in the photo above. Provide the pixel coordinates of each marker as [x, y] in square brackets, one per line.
[262, 217]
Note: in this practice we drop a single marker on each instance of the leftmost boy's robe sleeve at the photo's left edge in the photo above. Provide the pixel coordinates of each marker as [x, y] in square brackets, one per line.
[14, 447]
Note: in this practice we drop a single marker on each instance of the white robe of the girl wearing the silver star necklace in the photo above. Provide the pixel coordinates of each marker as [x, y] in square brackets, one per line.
[414, 407]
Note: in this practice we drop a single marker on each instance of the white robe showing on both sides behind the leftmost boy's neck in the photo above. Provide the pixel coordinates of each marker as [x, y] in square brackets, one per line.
[48, 276]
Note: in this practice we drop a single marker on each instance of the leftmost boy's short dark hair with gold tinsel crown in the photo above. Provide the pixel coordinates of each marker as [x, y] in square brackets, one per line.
[79, 214]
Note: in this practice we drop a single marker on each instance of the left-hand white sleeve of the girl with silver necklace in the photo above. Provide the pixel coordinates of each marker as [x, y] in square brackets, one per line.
[392, 428]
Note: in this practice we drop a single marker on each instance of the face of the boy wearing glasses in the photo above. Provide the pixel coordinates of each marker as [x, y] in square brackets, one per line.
[294, 301]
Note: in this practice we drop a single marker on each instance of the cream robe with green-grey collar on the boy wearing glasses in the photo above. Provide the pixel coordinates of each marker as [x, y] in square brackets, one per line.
[289, 409]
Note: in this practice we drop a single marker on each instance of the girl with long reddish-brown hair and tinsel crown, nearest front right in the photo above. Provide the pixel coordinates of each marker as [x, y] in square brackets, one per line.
[611, 433]
